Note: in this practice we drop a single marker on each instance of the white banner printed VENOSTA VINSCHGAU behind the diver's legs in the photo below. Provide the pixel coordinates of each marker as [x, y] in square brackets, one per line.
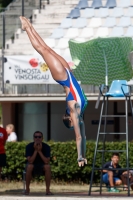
[26, 70]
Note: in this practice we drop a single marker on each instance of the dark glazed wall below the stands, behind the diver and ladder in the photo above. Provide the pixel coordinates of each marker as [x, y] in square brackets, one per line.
[33, 116]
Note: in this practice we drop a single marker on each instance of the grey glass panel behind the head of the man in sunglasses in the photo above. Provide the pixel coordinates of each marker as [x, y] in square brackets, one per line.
[32, 117]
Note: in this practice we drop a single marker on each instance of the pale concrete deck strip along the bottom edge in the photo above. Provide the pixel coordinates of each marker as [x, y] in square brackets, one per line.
[65, 196]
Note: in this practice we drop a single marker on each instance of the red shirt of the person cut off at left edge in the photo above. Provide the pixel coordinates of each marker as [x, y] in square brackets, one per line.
[3, 138]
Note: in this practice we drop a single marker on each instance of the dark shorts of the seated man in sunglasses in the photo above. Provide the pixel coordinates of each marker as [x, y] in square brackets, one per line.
[38, 169]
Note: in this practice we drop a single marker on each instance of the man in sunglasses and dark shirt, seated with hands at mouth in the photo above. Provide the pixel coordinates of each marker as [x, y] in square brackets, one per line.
[38, 160]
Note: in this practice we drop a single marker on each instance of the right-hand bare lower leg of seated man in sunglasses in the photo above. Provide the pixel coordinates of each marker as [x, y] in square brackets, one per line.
[47, 170]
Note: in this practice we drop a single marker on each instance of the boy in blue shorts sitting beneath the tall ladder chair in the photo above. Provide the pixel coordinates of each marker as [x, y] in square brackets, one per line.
[111, 177]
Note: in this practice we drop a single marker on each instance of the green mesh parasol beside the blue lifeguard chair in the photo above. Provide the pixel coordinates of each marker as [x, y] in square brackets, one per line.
[89, 60]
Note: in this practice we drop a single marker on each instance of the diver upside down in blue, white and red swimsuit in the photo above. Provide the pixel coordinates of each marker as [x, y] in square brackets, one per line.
[61, 73]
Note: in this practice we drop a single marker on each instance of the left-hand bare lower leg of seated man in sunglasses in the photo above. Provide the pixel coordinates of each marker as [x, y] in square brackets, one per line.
[29, 169]
